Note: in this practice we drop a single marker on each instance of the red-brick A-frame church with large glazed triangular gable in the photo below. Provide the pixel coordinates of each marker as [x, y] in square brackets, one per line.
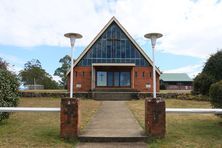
[113, 60]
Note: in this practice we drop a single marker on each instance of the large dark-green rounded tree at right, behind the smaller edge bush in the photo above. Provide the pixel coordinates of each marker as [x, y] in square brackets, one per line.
[211, 73]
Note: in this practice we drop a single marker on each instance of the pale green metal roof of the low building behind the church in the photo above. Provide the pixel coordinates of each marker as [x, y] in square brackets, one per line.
[173, 77]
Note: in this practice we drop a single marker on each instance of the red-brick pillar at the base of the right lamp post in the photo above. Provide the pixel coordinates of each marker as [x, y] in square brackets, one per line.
[155, 117]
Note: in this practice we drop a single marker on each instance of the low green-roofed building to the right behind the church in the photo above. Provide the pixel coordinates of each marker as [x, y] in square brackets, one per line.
[175, 81]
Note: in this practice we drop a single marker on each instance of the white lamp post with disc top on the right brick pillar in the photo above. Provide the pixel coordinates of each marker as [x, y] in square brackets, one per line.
[153, 37]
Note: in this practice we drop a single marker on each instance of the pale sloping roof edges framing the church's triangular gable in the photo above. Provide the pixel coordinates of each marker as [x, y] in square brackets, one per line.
[113, 19]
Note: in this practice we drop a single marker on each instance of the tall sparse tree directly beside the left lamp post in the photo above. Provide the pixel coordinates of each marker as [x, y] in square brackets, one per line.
[61, 71]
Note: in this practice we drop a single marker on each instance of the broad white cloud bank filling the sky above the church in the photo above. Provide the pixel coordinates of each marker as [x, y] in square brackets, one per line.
[192, 28]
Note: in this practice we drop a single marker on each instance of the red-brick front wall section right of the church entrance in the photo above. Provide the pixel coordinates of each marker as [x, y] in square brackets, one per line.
[140, 81]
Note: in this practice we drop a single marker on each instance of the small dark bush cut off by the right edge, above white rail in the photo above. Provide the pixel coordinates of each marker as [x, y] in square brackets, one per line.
[216, 94]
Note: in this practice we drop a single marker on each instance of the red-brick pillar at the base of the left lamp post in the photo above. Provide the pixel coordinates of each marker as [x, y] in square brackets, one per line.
[69, 118]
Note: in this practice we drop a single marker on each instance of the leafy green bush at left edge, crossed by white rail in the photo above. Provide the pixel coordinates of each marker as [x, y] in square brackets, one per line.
[8, 91]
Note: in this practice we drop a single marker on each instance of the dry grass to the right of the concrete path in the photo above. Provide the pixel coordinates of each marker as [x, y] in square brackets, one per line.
[185, 130]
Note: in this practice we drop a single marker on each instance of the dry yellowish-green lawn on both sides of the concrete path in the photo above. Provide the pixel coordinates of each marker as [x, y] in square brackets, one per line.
[29, 129]
